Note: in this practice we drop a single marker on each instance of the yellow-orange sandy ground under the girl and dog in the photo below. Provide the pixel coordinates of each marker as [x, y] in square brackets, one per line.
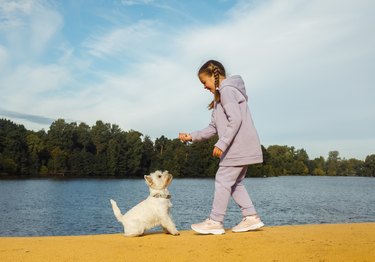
[326, 242]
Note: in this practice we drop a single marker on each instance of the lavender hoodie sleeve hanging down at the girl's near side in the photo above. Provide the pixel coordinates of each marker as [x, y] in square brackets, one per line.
[230, 102]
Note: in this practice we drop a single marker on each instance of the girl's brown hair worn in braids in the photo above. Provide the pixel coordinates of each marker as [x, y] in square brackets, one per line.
[215, 68]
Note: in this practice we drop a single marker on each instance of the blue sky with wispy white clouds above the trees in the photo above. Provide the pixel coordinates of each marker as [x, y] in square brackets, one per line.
[308, 66]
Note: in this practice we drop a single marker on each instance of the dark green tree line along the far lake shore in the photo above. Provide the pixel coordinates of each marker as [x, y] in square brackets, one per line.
[104, 150]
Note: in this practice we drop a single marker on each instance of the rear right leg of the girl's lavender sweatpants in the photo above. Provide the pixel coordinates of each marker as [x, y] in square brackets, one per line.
[241, 196]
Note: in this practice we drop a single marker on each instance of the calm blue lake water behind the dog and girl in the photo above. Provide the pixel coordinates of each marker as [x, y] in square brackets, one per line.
[81, 206]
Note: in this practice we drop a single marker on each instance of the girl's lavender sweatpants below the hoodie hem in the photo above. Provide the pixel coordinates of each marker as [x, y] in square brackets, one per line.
[228, 184]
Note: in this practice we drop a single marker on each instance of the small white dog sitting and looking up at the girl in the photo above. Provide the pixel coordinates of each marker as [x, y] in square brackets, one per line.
[151, 212]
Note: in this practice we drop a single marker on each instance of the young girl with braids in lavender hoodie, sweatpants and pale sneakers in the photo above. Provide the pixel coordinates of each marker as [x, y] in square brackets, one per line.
[238, 146]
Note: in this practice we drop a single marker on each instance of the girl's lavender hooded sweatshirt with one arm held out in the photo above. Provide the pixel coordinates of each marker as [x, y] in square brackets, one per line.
[231, 120]
